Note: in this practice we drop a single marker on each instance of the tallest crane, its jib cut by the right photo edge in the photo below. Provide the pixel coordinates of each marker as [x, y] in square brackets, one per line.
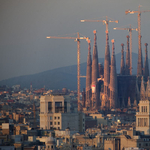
[139, 27]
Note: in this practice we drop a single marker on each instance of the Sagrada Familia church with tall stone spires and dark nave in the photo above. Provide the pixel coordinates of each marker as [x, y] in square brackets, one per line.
[105, 89]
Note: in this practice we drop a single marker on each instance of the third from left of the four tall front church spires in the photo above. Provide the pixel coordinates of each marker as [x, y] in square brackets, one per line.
[106, 70]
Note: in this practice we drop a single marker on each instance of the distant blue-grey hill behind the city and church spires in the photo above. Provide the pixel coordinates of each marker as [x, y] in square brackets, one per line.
[61, 77]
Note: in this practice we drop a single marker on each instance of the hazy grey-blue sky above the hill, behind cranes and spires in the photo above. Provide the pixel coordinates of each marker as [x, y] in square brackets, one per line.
[24, 25]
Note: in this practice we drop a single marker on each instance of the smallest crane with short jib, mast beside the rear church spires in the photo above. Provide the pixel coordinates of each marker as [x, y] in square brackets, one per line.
[130, 34]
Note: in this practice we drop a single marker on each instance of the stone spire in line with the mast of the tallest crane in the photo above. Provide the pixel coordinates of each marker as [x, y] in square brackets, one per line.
[140, 63]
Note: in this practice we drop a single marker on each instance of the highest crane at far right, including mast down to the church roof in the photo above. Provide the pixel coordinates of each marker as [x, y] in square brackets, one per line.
[139, 70]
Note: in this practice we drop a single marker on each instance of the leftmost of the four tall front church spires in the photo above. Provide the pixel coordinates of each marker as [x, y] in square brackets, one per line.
[88, 77]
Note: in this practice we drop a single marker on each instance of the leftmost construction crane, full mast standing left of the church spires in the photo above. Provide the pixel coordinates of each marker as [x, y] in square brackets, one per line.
[77, 39]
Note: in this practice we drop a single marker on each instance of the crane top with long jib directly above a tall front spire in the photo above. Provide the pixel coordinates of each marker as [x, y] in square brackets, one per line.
[104, 22]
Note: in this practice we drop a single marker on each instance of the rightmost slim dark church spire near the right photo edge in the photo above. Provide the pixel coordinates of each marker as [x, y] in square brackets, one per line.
[146, 68]
